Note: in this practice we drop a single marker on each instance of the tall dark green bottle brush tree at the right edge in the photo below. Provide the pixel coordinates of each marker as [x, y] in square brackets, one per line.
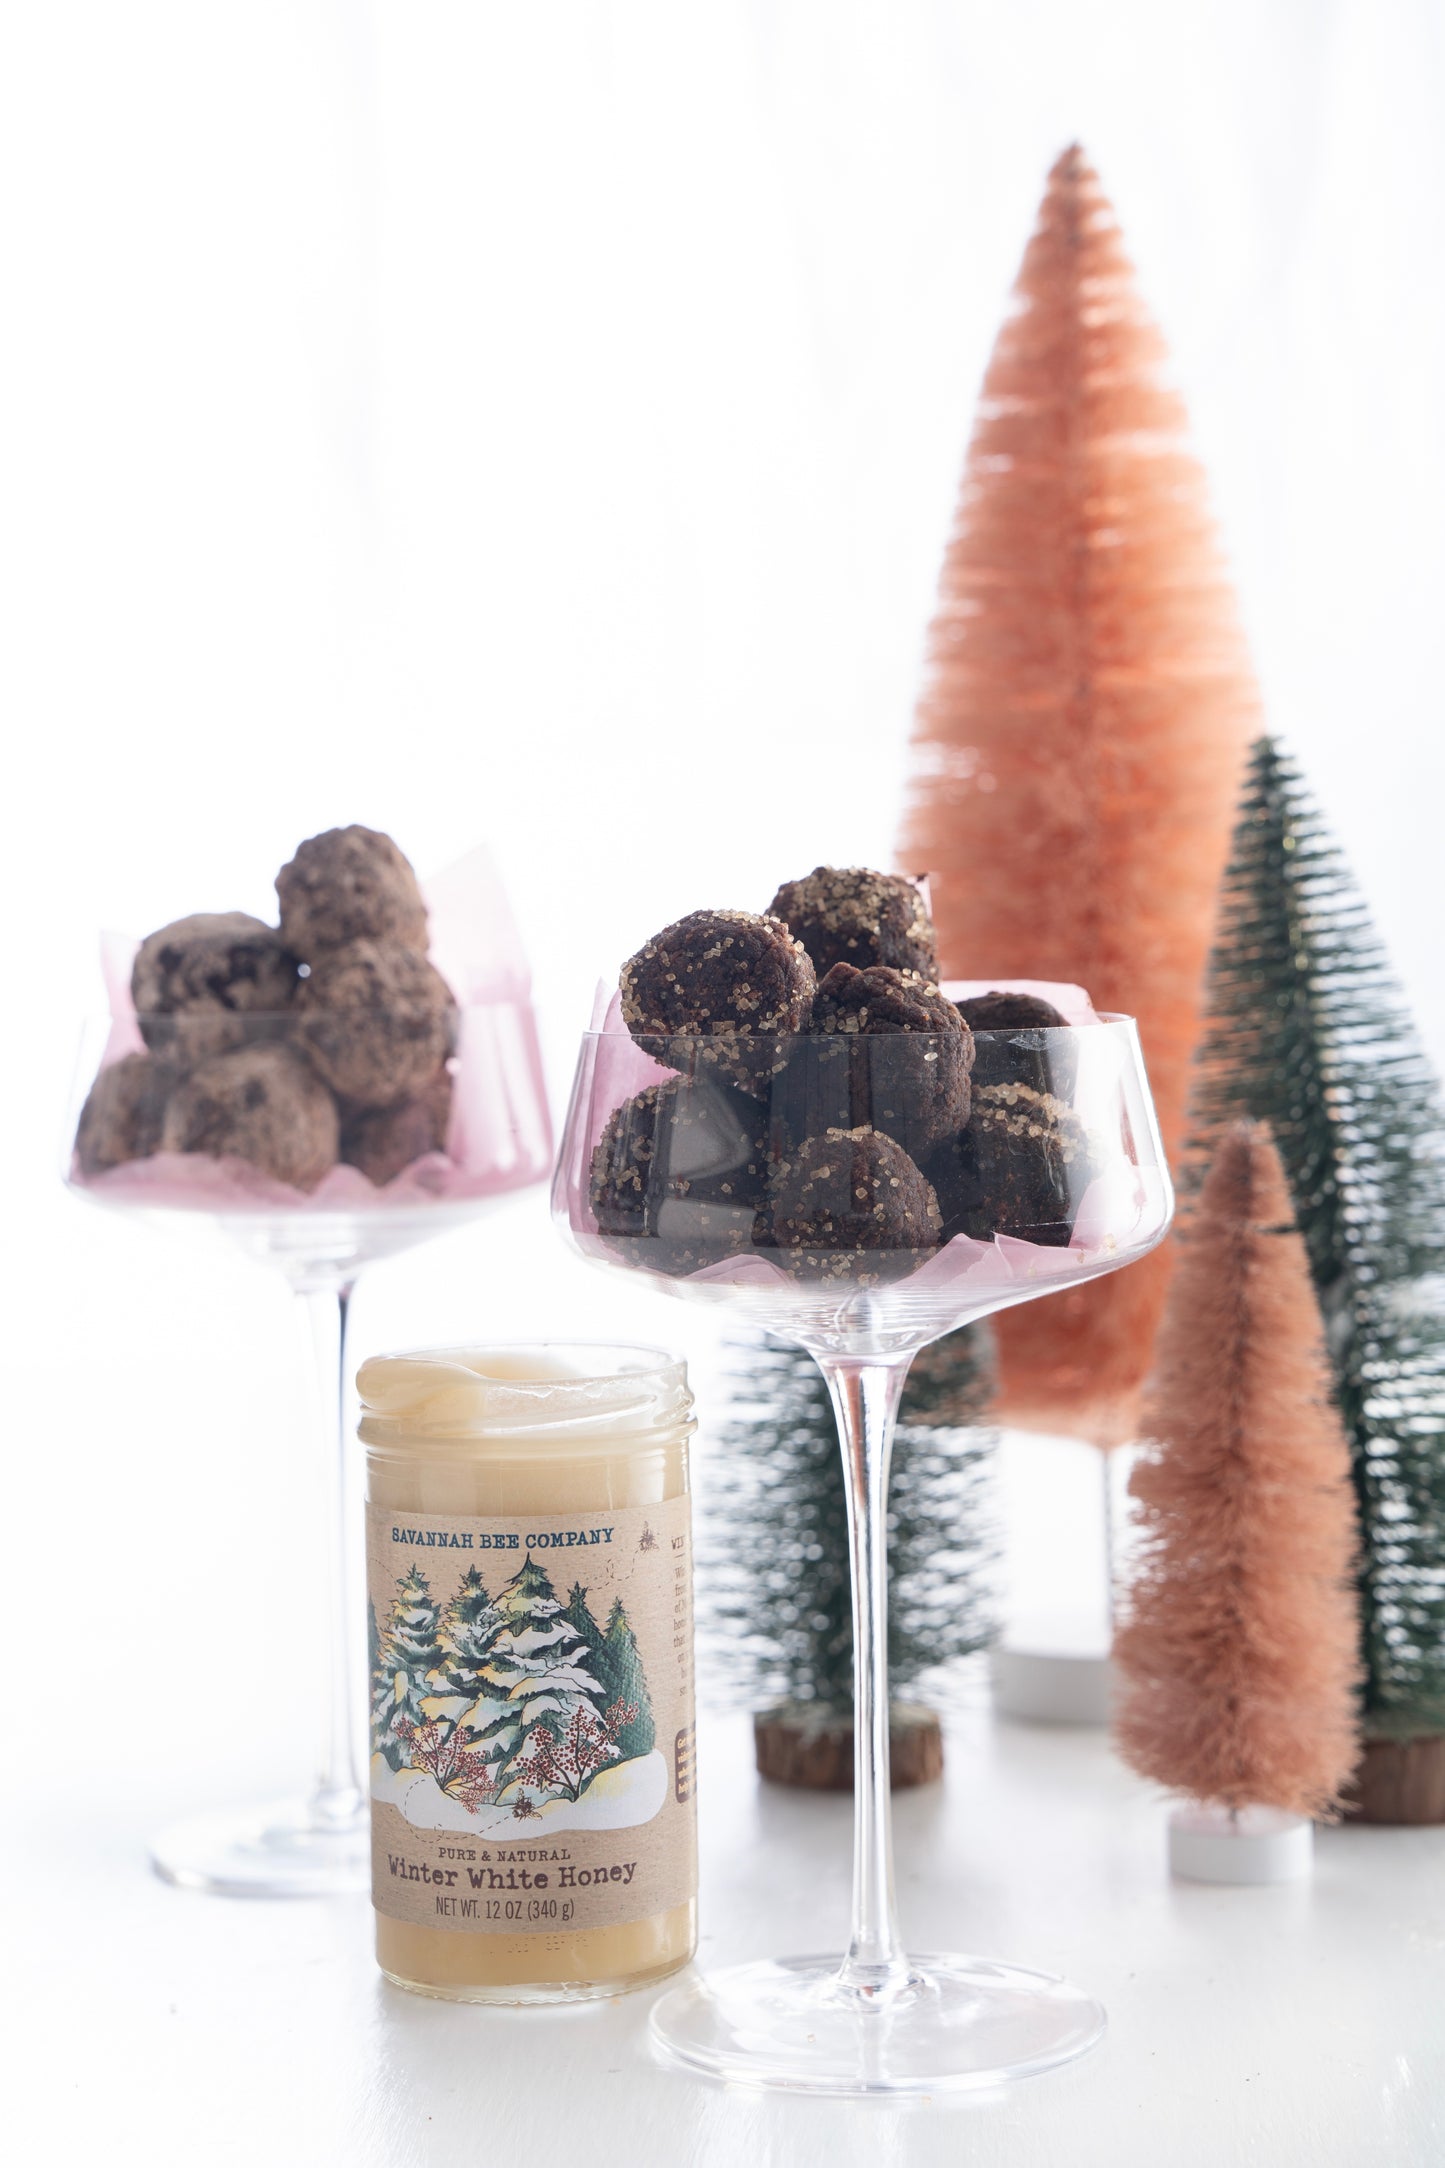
[1307, 1033]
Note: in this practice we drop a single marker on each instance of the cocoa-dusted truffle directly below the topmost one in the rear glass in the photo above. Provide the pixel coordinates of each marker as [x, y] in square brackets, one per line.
[376, 1022]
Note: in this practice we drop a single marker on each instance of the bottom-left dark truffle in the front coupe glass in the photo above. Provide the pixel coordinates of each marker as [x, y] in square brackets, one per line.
[679, 1176]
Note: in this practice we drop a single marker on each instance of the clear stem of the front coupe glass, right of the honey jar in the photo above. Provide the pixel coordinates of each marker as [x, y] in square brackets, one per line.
[865, 1397]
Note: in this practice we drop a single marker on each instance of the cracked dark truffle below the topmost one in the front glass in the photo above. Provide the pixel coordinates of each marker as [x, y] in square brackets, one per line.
[907, 1048]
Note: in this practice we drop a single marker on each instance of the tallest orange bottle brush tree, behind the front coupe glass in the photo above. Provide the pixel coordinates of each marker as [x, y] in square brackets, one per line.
[1082, 730]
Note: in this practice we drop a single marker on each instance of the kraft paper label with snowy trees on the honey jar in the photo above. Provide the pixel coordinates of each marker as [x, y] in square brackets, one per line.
[532, 1718]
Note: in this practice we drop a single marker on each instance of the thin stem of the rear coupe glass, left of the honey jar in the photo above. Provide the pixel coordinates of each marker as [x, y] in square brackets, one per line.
[337, 1801]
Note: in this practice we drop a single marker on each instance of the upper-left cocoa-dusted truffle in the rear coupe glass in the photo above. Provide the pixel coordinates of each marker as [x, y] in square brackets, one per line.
[211, 983]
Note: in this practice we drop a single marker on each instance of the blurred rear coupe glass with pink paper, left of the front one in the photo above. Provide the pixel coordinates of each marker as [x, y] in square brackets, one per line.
[497, 1139]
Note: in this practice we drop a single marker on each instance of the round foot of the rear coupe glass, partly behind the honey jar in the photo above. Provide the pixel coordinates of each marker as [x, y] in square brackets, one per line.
[268, 1853]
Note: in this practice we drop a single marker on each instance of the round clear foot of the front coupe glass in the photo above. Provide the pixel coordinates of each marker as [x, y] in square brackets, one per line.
[790, 2026]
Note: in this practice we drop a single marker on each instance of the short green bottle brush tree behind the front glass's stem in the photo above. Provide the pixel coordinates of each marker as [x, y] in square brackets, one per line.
[774, 1569]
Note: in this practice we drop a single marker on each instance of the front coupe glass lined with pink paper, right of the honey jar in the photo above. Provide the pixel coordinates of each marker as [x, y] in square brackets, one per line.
[679, 1202]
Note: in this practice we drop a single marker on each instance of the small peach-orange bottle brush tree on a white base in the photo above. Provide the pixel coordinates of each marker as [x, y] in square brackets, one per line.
[1238, 1651]
